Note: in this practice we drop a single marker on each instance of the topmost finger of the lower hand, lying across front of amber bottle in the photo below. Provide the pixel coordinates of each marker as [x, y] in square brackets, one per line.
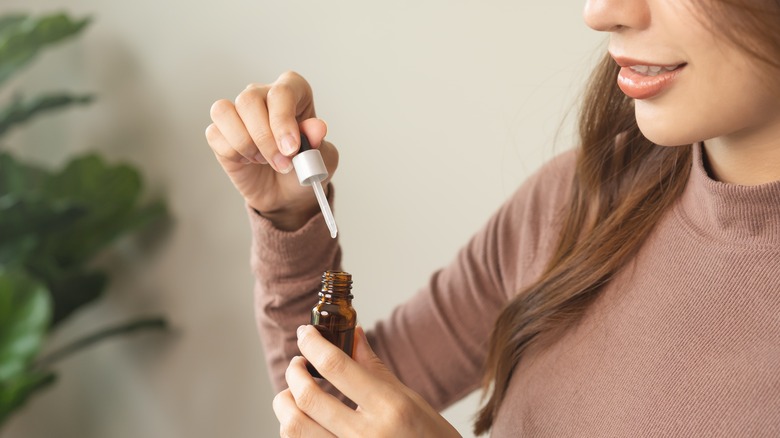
[357, 383]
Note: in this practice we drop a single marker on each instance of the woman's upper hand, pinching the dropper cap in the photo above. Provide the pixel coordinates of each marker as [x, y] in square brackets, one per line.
[255, 138]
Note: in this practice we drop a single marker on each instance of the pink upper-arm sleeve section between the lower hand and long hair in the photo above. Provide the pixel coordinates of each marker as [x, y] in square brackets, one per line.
[436, 343]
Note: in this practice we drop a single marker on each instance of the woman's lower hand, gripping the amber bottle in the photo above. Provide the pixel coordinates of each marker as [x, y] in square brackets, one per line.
[386, 408]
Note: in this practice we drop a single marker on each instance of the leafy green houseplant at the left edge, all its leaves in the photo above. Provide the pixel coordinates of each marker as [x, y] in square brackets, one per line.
[53, 224]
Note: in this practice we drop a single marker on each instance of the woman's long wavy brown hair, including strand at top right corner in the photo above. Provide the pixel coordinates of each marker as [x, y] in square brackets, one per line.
[622, 185]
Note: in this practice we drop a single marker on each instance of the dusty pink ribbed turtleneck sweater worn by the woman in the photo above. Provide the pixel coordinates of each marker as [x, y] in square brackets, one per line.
[685, 341]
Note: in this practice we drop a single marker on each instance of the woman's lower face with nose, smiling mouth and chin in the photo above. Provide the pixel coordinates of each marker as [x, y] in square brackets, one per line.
[689, 85]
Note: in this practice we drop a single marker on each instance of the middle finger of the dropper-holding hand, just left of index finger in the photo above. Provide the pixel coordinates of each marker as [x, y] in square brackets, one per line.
[251, 106]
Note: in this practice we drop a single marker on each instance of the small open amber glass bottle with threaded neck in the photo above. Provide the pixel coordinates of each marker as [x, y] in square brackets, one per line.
[334, 315]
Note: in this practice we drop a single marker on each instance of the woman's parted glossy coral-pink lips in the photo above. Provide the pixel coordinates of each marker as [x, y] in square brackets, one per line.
[645, 80]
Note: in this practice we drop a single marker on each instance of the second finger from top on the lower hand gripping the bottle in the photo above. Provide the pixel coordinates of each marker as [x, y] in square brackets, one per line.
[325, 409]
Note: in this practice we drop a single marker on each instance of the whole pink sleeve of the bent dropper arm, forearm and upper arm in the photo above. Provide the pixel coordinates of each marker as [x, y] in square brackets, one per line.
[437, 341]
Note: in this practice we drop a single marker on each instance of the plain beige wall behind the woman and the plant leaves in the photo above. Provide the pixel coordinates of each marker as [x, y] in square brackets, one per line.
[439, 108]
